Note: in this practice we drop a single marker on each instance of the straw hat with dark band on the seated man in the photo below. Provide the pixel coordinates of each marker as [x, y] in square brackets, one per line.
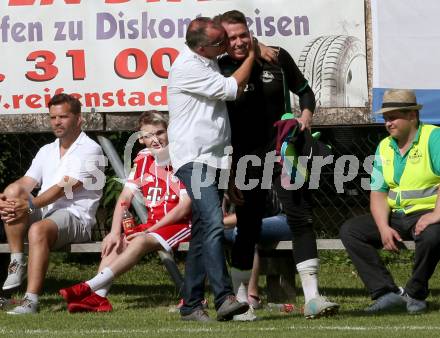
[399, 99]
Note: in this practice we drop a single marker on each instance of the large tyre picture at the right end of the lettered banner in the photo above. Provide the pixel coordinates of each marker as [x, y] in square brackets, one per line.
[335, 68]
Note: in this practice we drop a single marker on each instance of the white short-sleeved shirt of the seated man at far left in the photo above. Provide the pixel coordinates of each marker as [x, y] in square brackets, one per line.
[82, 161]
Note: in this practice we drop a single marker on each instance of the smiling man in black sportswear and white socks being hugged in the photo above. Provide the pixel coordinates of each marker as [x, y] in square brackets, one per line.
[252, 117]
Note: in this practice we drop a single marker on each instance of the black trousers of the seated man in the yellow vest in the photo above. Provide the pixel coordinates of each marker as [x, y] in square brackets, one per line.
[361, 238]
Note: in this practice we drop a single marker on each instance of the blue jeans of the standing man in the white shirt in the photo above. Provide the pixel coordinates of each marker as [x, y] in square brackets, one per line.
[206, 254]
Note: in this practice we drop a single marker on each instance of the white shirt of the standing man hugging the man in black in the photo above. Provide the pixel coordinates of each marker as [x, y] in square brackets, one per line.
[199, 129]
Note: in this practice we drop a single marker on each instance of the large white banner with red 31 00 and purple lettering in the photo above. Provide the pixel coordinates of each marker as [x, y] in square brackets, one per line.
[115, 54]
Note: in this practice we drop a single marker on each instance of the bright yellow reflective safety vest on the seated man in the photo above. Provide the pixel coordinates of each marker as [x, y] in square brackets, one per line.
[418, 185]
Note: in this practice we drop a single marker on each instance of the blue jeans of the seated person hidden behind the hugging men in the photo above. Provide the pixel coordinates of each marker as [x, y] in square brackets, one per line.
[273, 229]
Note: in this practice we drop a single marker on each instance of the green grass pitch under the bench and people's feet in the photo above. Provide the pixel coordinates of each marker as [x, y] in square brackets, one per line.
[142, 300]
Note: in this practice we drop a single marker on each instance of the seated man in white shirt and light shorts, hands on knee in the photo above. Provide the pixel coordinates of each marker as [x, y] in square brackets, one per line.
[69, 174]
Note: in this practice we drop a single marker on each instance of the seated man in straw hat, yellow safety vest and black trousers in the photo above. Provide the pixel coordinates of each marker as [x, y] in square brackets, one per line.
[404, 205]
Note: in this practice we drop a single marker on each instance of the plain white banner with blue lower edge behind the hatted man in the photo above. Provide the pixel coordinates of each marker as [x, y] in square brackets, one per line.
[406, 52]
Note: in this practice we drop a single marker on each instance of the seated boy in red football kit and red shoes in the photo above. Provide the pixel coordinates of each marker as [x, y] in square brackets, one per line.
[169, 214]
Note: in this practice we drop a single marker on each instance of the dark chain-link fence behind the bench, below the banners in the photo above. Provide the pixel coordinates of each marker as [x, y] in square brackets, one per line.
[333, 202]
